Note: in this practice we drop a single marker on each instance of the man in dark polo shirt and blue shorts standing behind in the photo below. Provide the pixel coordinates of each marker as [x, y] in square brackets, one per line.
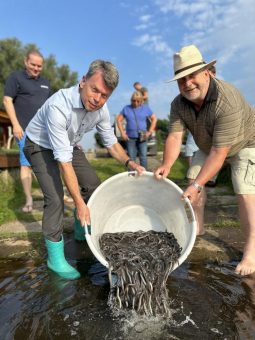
[25, 92]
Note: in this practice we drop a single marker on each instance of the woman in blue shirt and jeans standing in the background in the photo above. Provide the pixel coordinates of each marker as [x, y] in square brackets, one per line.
[136, 115]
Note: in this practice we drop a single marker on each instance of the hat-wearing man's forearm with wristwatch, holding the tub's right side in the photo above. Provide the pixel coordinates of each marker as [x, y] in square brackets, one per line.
[210, 168]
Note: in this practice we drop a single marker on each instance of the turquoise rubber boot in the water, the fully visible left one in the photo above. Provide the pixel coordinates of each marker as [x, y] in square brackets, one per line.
[57, 262]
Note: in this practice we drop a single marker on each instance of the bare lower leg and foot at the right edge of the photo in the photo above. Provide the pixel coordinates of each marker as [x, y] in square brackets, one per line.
[246, 205]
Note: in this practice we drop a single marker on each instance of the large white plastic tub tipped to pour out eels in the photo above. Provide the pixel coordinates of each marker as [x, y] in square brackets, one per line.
[128, 202]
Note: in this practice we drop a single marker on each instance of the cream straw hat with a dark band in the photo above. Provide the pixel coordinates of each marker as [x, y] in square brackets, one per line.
[187, 61]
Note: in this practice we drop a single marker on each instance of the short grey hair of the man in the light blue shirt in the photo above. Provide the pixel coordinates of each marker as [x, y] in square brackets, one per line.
[109, 72]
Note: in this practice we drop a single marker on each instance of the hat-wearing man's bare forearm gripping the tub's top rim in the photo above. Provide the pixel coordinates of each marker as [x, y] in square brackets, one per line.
[171, 153]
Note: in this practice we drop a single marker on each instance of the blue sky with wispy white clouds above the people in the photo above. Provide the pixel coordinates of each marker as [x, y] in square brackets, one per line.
[139, 37]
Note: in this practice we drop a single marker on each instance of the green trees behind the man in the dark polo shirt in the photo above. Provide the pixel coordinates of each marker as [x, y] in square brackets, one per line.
[12, 53]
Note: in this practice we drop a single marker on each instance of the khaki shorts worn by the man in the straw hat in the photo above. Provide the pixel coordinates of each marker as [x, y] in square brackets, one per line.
[242, 169]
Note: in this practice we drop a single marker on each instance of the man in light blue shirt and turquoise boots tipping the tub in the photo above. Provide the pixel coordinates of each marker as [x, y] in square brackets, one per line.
[52, 147]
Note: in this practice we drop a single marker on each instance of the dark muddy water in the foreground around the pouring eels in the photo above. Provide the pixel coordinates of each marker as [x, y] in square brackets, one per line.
[208, 302]
